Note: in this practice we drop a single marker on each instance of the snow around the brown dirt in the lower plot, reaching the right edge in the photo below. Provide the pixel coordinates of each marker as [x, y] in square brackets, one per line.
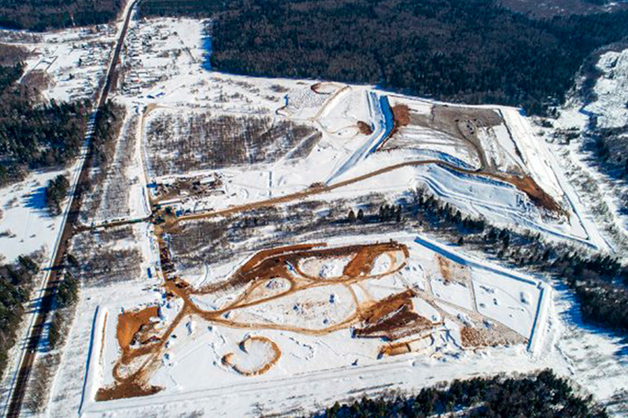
[195, 379]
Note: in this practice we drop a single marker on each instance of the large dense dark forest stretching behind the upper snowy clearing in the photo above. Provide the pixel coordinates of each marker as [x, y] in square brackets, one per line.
[462, 50]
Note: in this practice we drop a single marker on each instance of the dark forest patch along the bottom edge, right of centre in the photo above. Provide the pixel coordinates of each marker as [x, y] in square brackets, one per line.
[541, 395]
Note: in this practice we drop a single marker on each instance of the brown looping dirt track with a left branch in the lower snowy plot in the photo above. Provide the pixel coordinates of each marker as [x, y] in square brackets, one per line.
[133, 381]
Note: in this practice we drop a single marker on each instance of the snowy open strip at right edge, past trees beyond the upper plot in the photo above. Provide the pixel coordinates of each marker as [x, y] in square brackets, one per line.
[599, 196]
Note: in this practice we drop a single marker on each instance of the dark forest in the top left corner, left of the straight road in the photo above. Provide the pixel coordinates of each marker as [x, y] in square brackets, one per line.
[40, 15]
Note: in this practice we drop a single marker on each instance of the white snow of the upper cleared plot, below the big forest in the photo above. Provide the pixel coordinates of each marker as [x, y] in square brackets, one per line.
[169, 81]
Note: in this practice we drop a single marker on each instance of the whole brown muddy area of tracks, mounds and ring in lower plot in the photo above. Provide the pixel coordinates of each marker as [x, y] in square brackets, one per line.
[264, 281]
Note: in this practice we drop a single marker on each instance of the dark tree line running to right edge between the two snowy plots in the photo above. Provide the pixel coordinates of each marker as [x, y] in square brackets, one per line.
[599, 282]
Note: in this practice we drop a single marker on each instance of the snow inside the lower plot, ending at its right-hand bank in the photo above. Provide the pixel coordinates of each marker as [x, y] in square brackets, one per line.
[192, 373]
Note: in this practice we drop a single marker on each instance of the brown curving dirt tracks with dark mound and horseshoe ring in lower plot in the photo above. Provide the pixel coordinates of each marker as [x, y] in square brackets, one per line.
[142, 343]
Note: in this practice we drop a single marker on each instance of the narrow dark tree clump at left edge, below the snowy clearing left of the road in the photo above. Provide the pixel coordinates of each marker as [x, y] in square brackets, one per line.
[15, 284]
